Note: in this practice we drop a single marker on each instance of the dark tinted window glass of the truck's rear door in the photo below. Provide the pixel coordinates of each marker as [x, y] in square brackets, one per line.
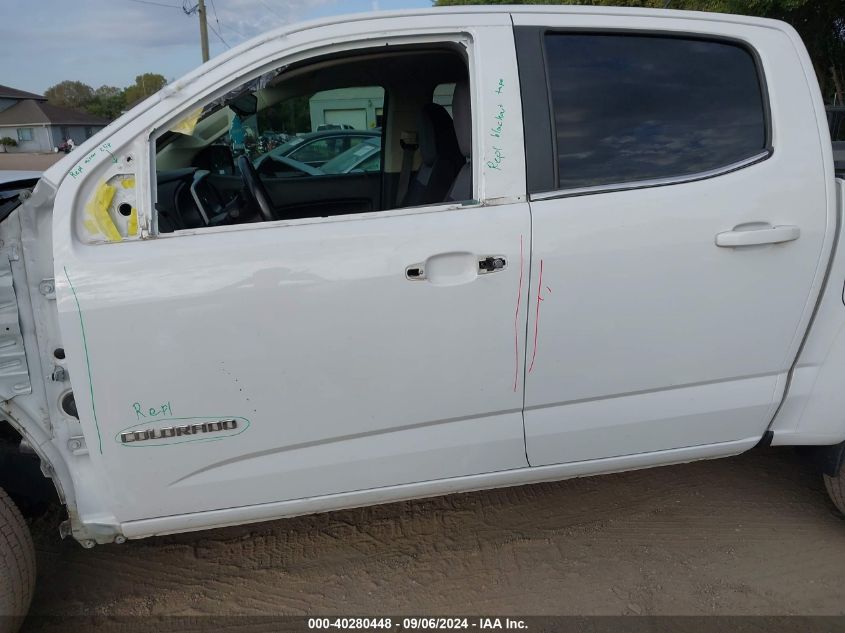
[629, 108]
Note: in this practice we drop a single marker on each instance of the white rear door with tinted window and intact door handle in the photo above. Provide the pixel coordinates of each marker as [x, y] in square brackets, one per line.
[681, 224]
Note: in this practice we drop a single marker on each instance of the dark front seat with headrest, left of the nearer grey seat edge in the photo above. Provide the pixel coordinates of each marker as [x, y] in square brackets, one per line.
[441, 157]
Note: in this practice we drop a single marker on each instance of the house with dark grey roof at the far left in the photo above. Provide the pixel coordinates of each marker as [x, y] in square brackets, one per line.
[38, 126]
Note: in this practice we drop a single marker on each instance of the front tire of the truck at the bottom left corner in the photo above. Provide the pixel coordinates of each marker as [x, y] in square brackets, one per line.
[17, 566]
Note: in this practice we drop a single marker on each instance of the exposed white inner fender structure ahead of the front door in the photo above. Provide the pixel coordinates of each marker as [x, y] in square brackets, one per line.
[36, 399]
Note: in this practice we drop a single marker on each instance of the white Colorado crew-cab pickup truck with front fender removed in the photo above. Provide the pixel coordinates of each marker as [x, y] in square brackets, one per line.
[559, 242]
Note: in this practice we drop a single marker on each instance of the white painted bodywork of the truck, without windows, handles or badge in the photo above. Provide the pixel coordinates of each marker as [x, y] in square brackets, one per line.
[361, 386]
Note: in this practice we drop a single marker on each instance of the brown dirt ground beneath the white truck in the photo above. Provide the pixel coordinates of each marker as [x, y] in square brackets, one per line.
[754, 534]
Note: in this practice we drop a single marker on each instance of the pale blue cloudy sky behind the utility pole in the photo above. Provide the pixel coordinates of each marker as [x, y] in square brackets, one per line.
[109, 42]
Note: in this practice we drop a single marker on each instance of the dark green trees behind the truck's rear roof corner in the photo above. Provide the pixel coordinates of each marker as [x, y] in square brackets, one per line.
[821, 24]
